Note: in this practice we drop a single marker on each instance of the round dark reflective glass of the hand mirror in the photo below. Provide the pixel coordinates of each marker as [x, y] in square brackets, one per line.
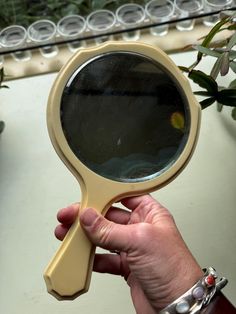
[125, 117]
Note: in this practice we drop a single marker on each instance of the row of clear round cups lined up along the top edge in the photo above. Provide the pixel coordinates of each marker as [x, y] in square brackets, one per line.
[129, 16]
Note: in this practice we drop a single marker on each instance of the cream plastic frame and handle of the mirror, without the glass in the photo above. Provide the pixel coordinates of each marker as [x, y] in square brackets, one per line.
[69, 273]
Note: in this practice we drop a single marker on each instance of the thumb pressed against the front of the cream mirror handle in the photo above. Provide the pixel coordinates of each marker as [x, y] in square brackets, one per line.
[105, 233]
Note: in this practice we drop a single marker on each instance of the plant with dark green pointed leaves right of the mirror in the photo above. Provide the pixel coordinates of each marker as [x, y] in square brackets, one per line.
[225, 54]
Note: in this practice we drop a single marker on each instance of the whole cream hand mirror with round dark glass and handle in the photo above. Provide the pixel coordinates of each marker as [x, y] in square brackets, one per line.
[124, 120]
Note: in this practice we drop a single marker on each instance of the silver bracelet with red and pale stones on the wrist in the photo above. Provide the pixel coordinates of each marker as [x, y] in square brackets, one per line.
[199, 296]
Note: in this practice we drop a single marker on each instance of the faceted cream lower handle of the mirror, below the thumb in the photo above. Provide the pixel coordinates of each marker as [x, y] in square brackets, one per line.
[68, 274]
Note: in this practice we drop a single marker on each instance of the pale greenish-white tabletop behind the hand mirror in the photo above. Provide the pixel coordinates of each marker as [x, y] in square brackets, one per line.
[35, 184]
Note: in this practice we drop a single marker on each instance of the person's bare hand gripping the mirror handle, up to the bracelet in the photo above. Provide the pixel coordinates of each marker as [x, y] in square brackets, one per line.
[153, 258]
